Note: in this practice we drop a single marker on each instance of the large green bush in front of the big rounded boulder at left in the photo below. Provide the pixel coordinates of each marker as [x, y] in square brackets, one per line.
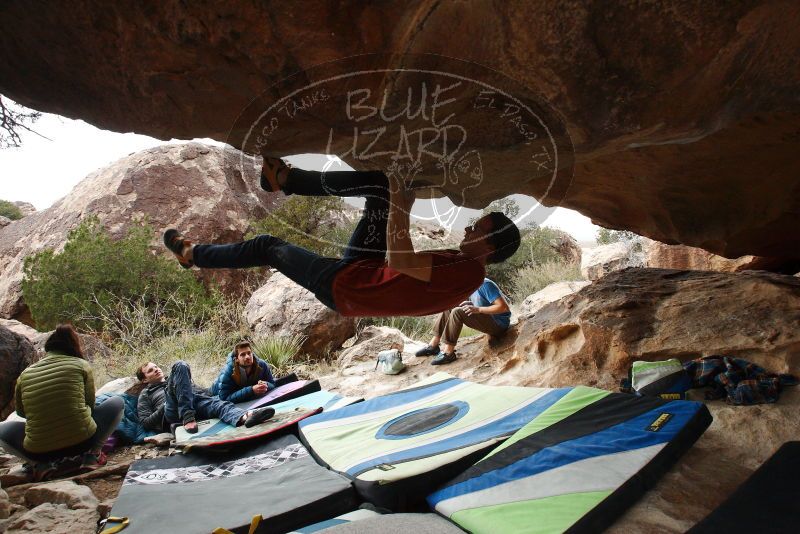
[94, 272]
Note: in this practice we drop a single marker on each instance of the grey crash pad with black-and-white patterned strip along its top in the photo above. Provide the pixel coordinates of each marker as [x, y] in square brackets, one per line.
[191, 493]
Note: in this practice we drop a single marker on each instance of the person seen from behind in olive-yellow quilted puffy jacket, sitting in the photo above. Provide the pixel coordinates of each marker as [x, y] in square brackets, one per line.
[56, 396]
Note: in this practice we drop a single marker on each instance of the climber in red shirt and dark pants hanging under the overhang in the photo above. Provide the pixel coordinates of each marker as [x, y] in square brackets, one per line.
[379, 274]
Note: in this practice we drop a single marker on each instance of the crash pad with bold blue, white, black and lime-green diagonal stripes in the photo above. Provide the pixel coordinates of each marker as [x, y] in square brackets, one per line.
[585, 457]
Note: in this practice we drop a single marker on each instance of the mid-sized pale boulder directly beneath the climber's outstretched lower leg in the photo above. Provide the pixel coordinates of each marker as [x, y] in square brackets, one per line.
[281, 307]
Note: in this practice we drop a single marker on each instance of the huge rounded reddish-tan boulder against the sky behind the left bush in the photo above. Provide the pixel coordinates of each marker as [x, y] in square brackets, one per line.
[200, 189]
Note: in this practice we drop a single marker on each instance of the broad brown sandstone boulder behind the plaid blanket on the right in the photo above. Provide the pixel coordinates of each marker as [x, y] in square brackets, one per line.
[592, 336]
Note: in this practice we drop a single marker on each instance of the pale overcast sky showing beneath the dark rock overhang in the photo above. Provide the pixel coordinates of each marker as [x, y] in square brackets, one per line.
[44, 170]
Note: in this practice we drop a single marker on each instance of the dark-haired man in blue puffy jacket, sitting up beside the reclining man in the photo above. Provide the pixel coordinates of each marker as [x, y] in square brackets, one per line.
[245, 377]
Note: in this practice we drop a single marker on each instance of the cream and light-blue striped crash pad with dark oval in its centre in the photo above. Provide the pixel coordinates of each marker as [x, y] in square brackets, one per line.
[398, 447]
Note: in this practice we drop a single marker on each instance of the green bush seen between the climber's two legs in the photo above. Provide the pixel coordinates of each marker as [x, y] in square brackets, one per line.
[306, 222]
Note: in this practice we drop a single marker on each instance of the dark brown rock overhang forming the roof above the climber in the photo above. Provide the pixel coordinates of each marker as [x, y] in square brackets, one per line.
[666, 108]
